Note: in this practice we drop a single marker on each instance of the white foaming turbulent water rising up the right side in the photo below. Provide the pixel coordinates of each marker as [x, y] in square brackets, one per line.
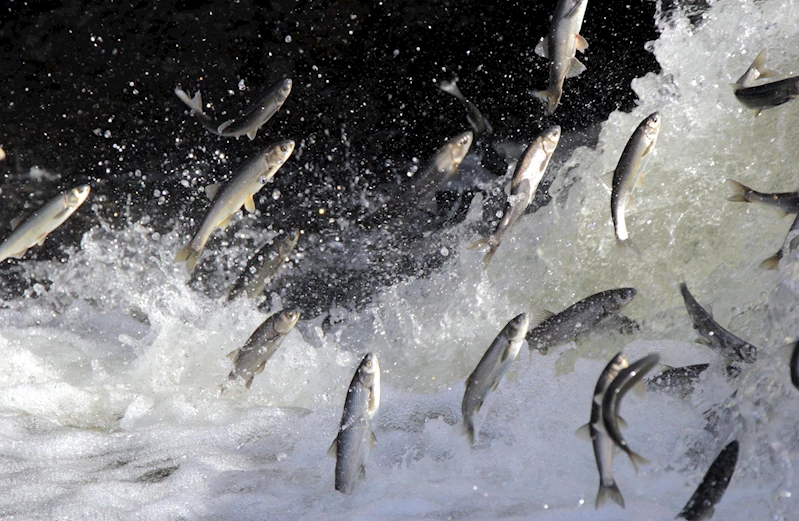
[110, 404]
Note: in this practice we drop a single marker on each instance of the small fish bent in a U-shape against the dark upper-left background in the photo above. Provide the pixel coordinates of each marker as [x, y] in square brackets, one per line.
[253, 117]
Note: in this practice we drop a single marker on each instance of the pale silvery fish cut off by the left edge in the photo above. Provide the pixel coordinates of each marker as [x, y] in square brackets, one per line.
[34, 229]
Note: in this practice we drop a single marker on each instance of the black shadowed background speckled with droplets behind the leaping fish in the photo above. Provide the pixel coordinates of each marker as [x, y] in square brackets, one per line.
[88, 95]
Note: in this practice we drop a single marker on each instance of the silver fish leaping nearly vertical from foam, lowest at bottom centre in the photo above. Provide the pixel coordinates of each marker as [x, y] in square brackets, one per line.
[356, 435]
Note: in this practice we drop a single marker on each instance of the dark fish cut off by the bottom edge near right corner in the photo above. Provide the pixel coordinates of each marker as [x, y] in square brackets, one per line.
[710, 491]
